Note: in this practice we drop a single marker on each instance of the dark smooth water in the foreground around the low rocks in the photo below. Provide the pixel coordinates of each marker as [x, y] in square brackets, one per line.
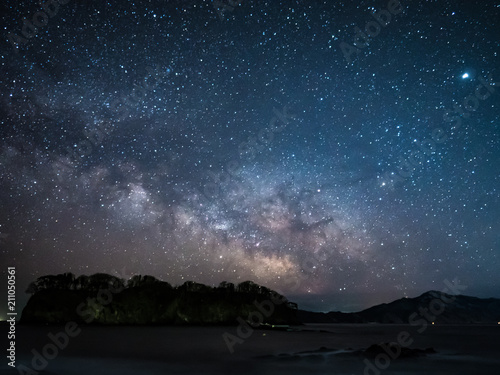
[202, 350]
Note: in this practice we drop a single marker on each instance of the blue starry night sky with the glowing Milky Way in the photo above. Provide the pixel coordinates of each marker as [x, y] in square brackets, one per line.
[304, 145]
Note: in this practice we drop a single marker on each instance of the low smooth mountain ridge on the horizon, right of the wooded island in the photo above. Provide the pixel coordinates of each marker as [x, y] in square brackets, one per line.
[432, 306]
